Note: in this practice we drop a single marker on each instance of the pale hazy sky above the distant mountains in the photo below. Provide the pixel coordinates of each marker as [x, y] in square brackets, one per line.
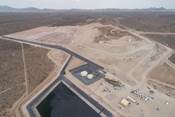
[89, 4]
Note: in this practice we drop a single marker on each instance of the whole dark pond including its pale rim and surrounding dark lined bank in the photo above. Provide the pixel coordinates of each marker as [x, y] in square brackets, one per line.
[64, 99]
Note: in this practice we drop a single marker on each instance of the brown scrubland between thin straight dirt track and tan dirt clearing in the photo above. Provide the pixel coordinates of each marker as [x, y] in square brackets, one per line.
[38, 65]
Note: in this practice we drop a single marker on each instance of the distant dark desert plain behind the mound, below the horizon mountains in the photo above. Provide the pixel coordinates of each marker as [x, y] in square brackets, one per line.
[143, 21]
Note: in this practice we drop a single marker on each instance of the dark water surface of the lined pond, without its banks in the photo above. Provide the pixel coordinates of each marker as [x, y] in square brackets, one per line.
[62, 102]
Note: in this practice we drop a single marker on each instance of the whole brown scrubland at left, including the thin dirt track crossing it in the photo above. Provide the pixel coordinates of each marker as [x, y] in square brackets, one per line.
[13, 81]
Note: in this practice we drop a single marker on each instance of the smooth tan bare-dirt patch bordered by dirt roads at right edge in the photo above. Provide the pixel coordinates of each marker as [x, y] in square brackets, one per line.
[163, 73]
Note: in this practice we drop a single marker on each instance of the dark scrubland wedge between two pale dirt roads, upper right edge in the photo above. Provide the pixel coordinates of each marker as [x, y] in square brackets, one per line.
[167, 40]
